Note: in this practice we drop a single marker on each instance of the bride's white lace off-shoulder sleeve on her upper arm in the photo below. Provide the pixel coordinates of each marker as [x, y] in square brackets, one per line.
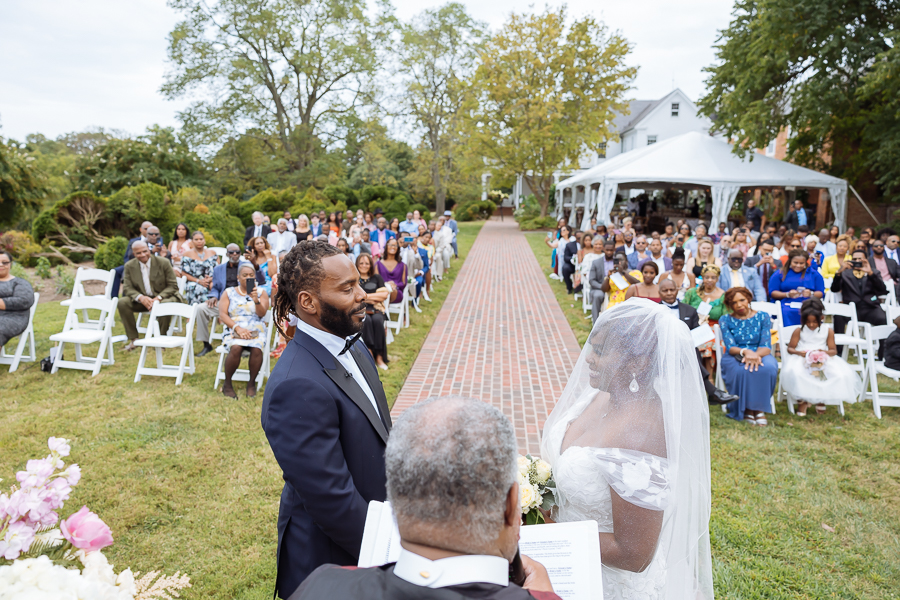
[639, 478]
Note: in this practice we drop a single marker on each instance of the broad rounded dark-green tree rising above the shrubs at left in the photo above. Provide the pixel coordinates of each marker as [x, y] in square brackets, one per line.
[160, 157]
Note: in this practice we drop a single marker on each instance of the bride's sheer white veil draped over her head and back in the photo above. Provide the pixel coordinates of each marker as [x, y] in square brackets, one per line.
[636, 404]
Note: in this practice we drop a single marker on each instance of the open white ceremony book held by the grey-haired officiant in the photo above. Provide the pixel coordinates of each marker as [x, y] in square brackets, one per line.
[569, 551]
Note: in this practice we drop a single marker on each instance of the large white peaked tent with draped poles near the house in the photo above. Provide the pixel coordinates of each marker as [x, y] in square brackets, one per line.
[690, 161]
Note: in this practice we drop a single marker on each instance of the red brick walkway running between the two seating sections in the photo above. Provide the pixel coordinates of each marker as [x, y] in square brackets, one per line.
[500, 336]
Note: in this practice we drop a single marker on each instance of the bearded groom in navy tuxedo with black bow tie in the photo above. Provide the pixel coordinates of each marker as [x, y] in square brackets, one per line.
[325, 415]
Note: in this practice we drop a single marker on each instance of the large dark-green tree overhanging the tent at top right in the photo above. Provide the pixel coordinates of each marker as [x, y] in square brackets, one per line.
[798, 65]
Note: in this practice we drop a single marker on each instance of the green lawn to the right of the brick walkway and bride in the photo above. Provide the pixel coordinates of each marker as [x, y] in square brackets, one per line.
[776, 488]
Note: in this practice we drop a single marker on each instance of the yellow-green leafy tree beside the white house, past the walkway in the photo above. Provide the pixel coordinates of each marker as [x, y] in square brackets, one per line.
[542, 92]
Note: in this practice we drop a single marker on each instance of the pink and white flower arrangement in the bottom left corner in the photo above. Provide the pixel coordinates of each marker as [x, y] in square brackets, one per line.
[43, 556]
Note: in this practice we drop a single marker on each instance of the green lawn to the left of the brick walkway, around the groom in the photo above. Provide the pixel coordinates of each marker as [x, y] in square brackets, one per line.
[183, 475]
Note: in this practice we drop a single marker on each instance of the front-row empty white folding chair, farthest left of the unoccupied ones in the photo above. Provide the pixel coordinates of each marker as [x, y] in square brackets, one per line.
[75, 332]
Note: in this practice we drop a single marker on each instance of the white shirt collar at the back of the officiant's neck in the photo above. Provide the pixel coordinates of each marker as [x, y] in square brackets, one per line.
[456, 570]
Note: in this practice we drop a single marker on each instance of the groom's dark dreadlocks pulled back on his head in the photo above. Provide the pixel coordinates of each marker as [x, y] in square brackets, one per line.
[301, 270]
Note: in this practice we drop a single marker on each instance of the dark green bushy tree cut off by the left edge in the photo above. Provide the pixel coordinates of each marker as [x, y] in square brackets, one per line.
[22, 186]
